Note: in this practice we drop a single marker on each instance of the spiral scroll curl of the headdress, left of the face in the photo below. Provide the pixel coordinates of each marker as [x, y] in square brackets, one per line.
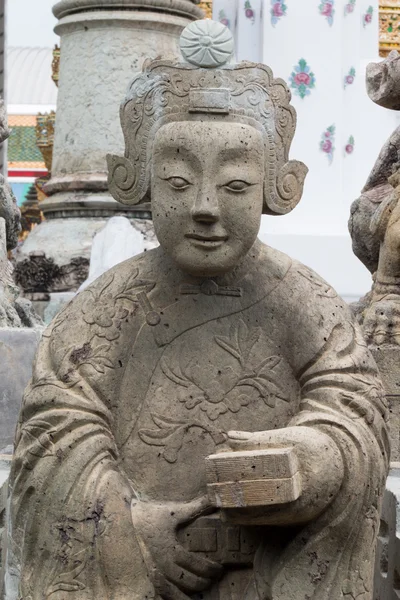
[122, 179]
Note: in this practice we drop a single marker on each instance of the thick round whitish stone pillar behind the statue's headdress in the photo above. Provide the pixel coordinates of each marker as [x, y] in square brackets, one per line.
[103, 44]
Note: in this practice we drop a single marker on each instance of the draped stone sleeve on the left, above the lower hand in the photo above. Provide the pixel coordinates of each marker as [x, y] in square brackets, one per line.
[71, 526]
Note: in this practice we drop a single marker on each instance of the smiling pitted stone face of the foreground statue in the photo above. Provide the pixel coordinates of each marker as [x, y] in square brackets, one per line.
[207, 193]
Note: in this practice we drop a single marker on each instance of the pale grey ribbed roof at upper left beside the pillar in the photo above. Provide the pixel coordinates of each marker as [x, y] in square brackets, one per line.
[28, 72]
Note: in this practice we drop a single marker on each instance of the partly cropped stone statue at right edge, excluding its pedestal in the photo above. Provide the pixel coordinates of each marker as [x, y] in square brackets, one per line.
[374, 215]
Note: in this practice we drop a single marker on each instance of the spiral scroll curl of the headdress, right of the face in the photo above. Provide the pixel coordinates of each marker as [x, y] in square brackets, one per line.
[289, 189]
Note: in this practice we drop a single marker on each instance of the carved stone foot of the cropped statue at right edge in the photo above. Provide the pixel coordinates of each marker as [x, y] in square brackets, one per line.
[382, 321]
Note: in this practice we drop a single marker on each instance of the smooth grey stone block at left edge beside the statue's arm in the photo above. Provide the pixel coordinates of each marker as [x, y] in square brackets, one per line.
[17, 350]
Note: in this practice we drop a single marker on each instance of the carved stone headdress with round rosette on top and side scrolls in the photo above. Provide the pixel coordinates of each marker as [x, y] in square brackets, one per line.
[207, 86]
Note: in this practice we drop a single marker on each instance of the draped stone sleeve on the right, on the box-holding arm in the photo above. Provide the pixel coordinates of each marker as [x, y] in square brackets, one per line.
[341, 397]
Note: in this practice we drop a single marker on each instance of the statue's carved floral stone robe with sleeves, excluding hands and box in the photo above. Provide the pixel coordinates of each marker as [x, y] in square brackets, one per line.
[140, 378]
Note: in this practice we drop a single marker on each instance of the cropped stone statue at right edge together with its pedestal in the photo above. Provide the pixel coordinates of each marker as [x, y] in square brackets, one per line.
[375, 229]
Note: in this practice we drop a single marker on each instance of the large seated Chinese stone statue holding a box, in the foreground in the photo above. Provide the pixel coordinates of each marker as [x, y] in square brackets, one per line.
[205, 420]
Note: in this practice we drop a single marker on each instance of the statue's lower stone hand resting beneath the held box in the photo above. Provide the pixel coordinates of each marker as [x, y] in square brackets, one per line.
[176, 573]
